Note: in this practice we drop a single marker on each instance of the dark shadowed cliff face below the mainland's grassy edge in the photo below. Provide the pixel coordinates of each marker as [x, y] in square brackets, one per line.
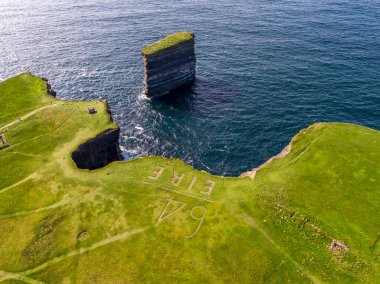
[99, 151]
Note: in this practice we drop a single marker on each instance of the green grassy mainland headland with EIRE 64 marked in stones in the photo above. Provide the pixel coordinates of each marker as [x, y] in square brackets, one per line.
[159, 220]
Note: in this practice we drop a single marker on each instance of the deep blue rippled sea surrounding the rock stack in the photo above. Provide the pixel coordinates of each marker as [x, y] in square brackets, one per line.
[265, 69]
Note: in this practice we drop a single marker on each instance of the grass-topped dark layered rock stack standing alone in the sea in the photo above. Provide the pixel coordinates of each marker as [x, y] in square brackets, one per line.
[169, 63]
